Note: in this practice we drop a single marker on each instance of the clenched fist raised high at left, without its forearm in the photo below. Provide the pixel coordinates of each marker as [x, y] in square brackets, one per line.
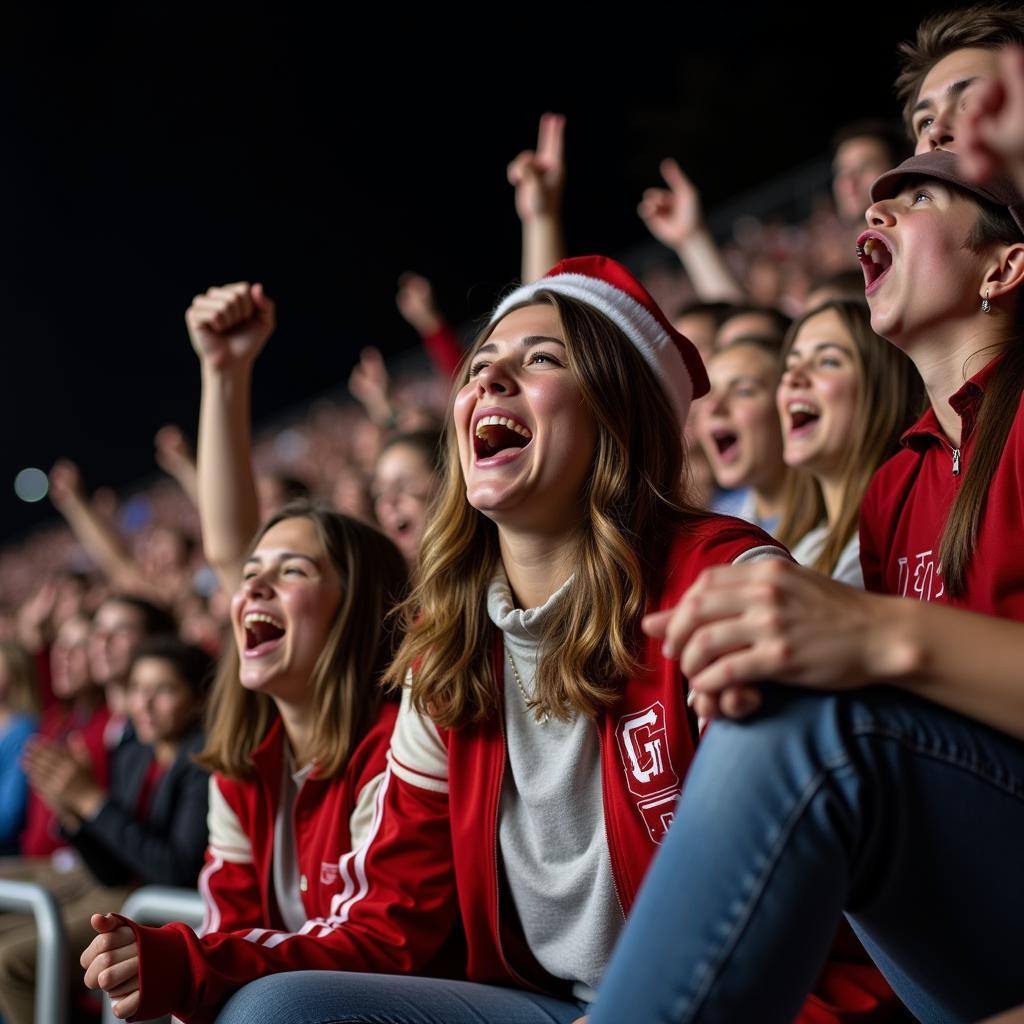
[229, 326]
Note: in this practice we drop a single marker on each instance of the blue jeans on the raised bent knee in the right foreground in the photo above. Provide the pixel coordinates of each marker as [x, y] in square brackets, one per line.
[909, 818]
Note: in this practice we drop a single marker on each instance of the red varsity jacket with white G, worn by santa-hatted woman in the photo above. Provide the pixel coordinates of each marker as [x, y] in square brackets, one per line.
[433, 849]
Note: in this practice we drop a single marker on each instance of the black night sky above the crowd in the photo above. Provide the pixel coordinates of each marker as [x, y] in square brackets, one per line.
[149, 155]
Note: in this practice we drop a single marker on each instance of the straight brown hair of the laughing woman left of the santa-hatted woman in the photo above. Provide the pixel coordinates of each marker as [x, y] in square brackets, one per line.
[347, 677]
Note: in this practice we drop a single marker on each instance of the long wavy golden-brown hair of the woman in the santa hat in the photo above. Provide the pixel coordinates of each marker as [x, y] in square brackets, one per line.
[633, 504]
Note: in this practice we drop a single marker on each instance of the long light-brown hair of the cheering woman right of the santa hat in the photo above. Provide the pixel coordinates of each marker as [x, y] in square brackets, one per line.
[890, 398]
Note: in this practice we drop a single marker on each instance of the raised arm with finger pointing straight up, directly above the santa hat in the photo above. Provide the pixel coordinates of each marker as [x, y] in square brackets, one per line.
[539, 179]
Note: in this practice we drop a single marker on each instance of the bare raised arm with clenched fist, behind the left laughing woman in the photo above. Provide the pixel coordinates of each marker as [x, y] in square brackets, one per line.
[229, 327]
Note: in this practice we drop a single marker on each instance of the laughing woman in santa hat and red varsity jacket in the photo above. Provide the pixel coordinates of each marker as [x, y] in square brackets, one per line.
[534, 717]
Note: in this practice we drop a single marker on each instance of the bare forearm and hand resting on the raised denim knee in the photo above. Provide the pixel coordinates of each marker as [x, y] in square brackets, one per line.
[744, 625]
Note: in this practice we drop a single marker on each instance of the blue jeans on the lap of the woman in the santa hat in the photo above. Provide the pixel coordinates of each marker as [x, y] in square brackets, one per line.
[339, 998]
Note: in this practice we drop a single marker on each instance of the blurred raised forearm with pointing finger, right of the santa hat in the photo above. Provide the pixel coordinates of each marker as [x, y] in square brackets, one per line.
[674, 217]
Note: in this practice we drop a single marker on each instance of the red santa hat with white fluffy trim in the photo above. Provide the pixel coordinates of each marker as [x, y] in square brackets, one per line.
[608, 287]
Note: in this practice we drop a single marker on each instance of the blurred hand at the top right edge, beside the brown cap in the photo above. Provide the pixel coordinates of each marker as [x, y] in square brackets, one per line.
[991, 132]
